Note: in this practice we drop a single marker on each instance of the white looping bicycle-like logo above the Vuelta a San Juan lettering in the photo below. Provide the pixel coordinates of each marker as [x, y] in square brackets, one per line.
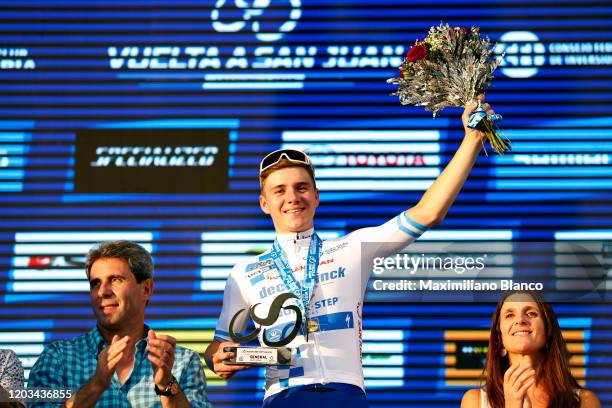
[268, 19]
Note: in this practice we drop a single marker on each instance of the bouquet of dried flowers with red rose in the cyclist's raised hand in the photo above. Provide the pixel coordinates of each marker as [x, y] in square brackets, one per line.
[450, 67]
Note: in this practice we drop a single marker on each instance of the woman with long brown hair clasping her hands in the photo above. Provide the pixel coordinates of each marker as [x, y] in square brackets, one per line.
[527, 361]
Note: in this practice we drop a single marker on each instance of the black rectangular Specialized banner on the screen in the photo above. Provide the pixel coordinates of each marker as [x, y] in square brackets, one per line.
[152, 161]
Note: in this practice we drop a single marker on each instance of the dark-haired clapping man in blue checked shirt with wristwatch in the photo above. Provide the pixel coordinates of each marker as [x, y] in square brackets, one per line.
[121, 362]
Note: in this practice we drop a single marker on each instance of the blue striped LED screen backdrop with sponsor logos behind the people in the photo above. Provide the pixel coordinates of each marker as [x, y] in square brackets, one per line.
[146, 120]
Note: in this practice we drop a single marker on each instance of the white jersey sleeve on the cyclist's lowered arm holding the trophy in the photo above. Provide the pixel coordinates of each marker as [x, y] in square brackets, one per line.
[234, 300]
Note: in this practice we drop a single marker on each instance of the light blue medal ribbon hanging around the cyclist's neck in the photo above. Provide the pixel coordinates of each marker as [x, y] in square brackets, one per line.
[302, 291]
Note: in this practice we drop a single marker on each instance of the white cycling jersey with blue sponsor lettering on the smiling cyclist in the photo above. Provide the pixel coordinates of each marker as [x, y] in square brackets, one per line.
[333, 350]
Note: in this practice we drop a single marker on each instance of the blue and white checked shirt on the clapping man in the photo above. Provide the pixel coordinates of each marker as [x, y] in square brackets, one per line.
[71, 363]
